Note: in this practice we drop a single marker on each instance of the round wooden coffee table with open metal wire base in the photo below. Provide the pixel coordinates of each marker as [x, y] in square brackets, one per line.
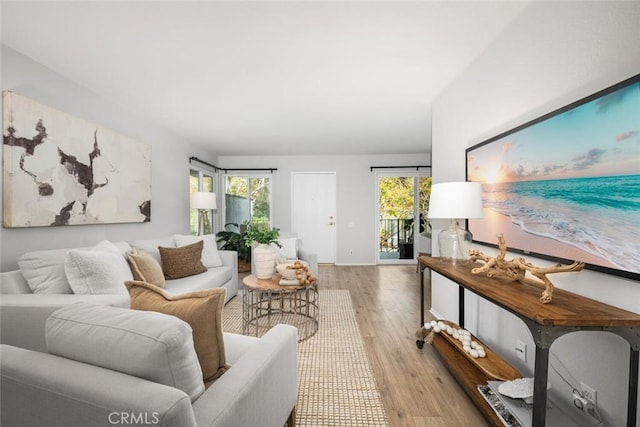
[266, 303]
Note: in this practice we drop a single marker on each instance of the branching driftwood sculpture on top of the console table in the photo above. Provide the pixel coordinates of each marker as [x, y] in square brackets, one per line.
[517, 268]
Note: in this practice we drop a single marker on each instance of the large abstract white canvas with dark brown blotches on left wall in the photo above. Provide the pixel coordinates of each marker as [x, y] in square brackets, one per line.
[63, 170]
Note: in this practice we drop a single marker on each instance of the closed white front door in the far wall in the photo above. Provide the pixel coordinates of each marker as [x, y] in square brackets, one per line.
[313, 212]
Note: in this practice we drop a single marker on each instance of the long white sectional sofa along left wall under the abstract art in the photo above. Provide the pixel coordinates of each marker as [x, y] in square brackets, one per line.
[26, 304]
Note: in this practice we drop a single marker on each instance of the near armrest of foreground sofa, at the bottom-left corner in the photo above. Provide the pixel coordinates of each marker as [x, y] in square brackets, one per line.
[43, 389]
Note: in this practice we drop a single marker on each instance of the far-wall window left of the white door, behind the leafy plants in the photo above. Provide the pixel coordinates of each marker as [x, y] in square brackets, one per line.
[247, 198]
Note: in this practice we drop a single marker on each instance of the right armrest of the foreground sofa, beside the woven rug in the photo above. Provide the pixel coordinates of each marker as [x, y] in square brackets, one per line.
[260, 389]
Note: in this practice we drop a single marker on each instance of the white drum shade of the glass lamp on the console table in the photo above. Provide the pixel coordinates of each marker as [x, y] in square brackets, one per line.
[455, 200]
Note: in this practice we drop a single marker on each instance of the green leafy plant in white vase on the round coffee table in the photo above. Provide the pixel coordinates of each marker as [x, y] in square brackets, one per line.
[264, 256]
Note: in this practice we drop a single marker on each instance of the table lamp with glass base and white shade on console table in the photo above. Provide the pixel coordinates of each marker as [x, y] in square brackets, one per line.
[455, 200]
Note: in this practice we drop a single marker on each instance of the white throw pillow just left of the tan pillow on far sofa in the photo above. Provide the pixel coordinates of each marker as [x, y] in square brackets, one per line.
[99, 270]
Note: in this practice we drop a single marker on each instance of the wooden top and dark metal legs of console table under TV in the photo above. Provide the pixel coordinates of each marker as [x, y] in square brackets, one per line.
[567, 313]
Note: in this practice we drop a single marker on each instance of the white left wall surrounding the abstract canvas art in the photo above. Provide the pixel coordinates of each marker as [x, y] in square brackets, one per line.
[170, 162]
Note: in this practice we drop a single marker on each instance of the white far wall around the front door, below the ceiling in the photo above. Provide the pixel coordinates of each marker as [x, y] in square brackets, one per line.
[356, 194]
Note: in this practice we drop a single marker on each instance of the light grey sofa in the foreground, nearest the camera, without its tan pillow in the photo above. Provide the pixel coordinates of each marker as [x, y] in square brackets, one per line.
[149, 376]
